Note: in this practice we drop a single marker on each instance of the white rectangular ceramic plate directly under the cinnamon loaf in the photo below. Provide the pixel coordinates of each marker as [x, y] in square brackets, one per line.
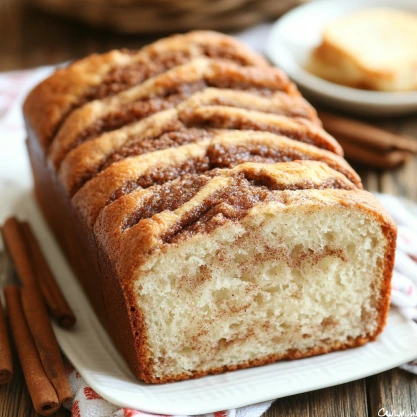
[93, 354]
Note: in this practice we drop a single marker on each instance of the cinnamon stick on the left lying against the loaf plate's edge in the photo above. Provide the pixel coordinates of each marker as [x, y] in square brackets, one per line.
[55, 300]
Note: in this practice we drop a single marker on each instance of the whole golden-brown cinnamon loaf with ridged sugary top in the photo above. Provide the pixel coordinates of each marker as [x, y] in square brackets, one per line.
[212, 222]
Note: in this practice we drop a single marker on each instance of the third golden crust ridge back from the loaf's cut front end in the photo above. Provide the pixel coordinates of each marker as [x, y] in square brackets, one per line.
[168, 129]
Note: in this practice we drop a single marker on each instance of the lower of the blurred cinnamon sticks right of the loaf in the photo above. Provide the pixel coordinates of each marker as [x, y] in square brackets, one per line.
[388, 160]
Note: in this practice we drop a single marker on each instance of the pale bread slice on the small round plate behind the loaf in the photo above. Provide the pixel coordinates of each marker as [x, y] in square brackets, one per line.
[371, 49]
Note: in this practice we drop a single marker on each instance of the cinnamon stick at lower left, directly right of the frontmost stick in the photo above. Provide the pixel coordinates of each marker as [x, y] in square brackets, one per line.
[45, 341]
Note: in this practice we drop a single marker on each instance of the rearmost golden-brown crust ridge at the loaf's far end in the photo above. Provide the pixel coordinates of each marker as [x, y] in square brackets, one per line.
[99, 76]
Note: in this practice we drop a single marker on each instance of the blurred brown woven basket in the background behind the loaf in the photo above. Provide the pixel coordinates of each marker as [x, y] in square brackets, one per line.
[43, 32]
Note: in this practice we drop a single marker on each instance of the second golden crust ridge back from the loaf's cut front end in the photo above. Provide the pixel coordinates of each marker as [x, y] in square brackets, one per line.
[219, 152]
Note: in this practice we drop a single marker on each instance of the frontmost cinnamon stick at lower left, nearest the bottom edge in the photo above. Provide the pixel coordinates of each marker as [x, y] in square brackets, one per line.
[42, 393]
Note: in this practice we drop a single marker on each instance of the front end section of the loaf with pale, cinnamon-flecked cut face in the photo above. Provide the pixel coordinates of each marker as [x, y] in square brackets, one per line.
[251, 265]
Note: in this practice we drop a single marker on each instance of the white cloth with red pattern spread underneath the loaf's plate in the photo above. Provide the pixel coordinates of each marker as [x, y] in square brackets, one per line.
[14, 175]
